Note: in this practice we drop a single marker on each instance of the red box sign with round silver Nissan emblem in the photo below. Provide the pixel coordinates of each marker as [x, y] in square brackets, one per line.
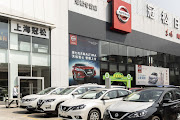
[121, 16]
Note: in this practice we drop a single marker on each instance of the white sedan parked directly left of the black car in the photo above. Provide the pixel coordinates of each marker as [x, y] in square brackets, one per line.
[92, 104]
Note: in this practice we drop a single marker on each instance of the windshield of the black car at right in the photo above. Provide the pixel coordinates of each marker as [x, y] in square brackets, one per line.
[144, 96]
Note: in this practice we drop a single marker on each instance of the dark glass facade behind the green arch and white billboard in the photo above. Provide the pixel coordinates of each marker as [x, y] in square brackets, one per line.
[121, 58]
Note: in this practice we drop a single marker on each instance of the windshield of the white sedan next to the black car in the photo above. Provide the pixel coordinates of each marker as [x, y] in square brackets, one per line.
[93, 94]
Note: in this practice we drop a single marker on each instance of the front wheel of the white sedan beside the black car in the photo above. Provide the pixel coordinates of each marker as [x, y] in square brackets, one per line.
[94, 115]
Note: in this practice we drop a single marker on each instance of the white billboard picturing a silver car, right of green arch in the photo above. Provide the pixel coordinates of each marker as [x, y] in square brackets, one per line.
[148, 75]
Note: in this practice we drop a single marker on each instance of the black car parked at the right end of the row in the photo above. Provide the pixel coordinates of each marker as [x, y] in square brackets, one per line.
[149, 104]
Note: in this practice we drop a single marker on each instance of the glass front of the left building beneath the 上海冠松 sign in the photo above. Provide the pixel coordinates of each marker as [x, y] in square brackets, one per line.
[22, 56]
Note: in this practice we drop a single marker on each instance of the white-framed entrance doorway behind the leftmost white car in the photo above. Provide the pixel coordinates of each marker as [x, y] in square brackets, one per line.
[30, 85]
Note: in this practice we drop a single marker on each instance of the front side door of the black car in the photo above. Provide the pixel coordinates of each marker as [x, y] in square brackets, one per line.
[169, 107]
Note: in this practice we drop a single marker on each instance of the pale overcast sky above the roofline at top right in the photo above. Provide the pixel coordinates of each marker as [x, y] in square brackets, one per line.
[172, 6]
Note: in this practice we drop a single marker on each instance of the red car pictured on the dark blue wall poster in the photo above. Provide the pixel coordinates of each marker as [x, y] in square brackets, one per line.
[82, 72]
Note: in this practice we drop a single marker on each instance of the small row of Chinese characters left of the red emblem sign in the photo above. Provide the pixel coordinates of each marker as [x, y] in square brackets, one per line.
[86, 5]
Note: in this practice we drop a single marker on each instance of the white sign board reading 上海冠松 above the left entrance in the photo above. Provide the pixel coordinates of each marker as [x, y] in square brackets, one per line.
[29, 29]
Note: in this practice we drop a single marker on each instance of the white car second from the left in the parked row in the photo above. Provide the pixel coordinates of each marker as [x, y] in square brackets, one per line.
[50, 104]
